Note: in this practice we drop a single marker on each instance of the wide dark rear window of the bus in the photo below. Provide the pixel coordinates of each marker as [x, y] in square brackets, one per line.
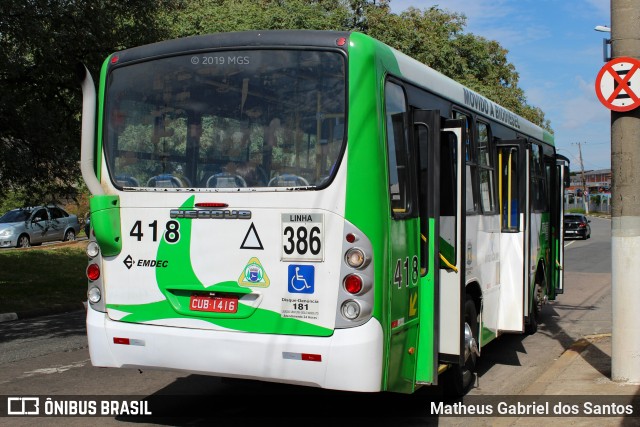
[226, 120]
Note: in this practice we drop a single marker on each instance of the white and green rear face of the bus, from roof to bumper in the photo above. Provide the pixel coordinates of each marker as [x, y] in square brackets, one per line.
[219, 239]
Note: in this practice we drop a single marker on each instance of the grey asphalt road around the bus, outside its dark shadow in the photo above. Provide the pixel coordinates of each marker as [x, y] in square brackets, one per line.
[48, 356]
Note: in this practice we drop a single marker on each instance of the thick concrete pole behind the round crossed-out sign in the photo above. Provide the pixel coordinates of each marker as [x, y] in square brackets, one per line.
[625, 212]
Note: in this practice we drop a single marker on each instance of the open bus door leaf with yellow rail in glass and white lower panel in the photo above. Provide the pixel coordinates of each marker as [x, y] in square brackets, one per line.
[513, 205]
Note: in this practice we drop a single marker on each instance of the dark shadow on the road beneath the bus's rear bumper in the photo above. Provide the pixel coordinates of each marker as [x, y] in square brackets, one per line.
[200, 400]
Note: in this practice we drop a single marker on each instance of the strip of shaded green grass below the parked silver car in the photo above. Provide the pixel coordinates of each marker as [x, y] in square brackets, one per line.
[49, 277]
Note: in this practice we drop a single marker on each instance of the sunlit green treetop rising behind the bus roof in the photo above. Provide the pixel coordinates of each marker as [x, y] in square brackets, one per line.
[431, 36]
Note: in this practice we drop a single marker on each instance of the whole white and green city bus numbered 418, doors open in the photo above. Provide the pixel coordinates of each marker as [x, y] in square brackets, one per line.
[312, 208]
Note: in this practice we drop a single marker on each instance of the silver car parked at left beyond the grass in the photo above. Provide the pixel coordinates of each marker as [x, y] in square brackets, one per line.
[33, 226]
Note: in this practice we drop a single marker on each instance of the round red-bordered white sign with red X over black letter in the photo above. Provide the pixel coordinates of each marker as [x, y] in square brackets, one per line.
[618, 84]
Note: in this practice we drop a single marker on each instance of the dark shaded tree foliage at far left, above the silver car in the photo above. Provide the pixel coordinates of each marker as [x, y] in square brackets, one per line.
[41, 41]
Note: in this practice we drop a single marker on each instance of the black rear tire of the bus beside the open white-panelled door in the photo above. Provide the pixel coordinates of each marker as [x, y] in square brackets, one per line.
[460, 378]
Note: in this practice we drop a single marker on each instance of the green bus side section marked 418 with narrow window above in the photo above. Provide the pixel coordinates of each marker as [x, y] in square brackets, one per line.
[403, 271]
